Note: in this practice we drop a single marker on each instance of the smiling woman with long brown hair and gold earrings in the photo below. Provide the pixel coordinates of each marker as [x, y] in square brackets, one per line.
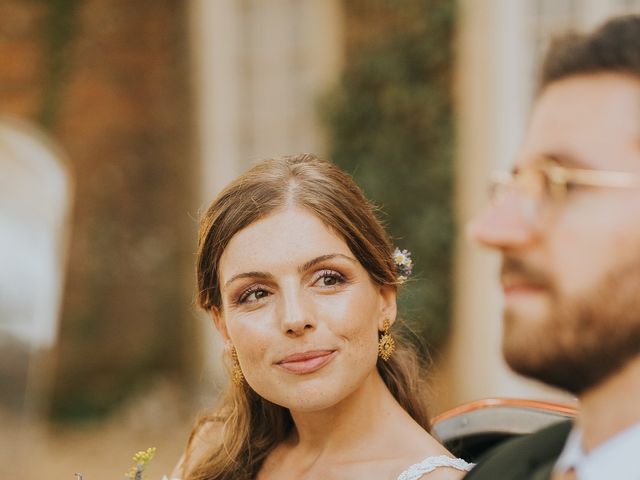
[298, 276]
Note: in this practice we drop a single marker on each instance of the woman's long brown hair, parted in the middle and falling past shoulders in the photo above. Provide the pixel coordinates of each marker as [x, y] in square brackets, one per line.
[250, 426]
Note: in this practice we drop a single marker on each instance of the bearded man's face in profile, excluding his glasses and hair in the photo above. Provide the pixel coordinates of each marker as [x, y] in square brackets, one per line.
[571, 265]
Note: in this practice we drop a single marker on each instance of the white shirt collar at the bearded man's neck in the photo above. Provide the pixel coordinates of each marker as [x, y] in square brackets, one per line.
[616, 458]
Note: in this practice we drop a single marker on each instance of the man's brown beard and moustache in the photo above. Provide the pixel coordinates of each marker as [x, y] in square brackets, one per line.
[583, 339]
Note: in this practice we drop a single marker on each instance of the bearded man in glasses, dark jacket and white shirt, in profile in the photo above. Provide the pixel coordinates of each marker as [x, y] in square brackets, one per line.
[566, 222]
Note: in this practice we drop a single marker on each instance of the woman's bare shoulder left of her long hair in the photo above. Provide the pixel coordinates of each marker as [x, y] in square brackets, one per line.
[205, 437]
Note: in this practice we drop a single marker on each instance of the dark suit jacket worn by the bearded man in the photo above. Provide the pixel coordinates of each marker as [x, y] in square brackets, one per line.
[530, 457]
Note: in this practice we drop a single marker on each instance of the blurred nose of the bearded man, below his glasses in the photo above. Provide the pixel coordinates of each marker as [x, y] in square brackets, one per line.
[502, 226]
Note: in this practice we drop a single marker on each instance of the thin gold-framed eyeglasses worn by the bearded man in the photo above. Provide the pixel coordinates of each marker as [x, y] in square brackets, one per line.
[548, 183]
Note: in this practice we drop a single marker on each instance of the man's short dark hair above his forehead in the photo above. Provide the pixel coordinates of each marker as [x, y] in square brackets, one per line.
[612, 48]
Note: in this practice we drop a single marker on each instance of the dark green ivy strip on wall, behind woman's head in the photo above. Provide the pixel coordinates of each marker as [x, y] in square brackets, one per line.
[391, 126]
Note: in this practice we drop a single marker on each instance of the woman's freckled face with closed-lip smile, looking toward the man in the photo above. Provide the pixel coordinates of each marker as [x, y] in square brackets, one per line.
[301, 311]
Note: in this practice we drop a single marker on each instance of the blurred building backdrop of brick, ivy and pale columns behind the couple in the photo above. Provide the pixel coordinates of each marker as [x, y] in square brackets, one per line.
[119, 122]
